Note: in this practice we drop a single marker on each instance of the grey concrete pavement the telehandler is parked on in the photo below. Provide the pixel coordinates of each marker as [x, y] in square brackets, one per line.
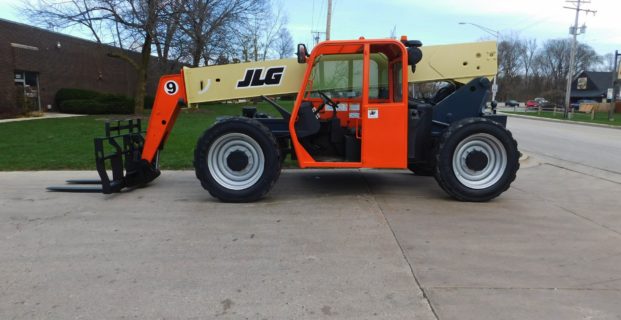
[353, 244]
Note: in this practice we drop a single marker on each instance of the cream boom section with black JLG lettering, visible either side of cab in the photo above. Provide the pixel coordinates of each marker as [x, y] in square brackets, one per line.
[455, 62]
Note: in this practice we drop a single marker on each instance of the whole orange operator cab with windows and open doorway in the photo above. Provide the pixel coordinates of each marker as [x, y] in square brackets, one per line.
[352, 105]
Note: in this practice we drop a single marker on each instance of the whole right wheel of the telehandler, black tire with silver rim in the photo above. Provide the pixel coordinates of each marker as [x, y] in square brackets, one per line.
[483, 153]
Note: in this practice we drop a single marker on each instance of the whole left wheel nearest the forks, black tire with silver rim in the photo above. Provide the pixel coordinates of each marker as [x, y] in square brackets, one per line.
[237, 160]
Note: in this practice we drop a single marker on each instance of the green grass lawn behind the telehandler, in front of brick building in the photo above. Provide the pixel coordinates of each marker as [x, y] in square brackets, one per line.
[67, 143]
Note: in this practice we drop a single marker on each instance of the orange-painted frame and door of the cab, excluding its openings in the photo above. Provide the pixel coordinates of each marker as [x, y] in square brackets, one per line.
[384, 122]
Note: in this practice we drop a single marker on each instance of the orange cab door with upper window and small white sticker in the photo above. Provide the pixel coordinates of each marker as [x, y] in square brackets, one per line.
[383, 111]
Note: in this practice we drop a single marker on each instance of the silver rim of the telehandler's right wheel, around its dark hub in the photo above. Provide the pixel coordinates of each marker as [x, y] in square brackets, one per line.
[496, 155]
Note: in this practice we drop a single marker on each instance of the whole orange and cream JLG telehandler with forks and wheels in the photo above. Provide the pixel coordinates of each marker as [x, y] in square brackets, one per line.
[353, 110]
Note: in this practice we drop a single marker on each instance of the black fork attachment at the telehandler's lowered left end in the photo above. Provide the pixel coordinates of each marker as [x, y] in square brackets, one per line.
[124, 140]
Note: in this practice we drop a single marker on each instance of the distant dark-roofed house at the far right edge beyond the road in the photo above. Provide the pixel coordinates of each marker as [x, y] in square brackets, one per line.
[591, 85]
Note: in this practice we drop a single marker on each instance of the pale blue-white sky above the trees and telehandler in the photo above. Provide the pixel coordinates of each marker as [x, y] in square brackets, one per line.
[436, 21]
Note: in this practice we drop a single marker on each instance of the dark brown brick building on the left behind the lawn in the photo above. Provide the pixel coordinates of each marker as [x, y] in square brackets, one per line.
[36, 63]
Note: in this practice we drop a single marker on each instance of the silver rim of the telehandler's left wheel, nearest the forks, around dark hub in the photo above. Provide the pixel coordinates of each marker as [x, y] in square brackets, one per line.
[219, 168]
